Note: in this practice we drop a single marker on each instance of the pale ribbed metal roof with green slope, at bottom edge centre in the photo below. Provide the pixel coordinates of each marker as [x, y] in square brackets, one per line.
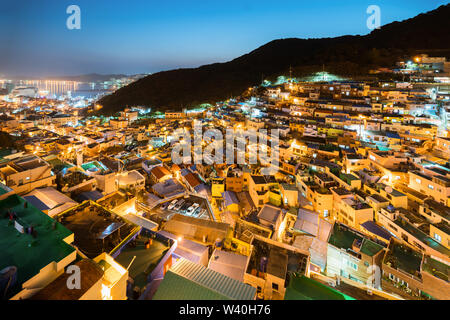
[190, 281]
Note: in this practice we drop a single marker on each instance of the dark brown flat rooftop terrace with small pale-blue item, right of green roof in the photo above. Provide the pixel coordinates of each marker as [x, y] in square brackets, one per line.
[96, 229]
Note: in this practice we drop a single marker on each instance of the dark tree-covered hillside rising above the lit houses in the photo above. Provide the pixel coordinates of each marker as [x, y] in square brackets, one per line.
[346, 55]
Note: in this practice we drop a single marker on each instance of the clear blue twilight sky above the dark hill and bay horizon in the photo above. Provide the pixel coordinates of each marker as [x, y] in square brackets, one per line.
[140, 36]
